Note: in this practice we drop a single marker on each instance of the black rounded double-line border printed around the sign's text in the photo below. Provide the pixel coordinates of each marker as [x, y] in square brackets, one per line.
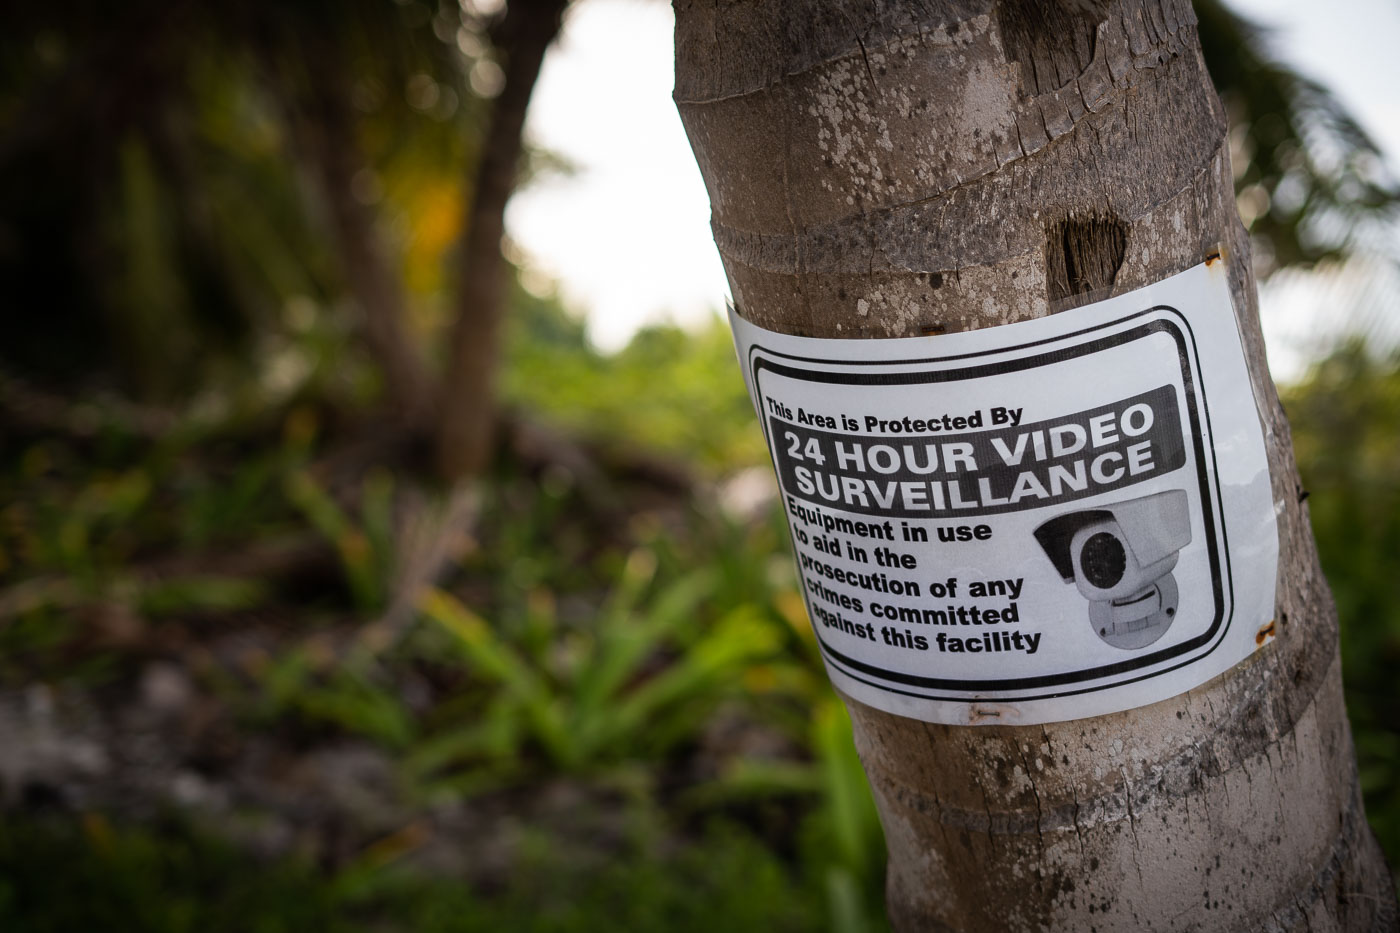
[1213, 509]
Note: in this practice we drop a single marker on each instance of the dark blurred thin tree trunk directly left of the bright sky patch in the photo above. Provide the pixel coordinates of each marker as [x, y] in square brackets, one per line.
[467, 410]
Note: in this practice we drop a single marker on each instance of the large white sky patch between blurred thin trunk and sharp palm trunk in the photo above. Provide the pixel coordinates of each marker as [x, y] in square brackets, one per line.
[628, 236]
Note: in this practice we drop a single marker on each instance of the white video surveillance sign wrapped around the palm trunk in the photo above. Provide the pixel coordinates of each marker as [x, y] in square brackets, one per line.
[1030, 523]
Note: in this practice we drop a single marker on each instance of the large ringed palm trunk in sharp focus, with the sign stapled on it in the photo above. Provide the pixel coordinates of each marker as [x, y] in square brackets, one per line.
[894, 170]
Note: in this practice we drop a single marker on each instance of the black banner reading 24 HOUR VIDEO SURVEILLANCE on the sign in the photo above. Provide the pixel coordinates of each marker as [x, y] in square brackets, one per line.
[985, 473]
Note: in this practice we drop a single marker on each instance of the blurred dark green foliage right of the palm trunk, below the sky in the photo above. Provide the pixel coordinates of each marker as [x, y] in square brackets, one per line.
[1345, 418]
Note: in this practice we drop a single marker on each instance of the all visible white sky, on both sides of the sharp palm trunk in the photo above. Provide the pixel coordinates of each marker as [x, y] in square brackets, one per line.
[628, 236]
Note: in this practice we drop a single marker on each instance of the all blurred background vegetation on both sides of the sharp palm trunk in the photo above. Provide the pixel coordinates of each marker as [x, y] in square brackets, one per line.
[271, 661]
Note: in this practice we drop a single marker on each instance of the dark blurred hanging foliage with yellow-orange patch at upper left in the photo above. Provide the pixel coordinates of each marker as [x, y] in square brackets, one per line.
[199, 218]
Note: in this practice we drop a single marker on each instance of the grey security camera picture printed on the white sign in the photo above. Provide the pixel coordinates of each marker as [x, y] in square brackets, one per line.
[1121, 557]
